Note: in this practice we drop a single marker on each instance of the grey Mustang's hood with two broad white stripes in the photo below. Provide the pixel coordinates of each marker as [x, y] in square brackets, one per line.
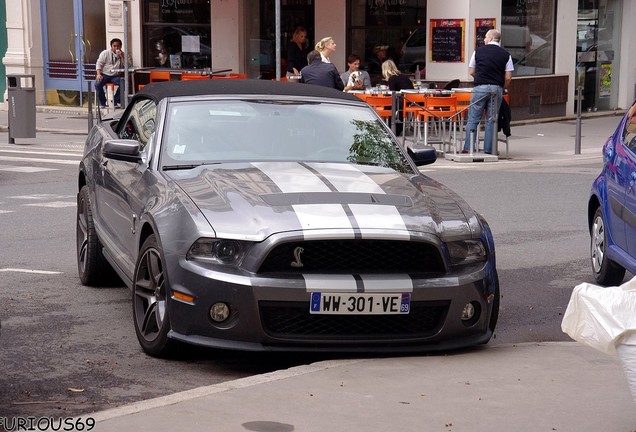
[253, 201]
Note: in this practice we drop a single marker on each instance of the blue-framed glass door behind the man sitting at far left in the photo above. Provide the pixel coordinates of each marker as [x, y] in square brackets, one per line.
[75, 34]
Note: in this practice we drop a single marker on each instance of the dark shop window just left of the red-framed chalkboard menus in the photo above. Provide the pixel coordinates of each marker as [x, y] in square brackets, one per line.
[387, 30]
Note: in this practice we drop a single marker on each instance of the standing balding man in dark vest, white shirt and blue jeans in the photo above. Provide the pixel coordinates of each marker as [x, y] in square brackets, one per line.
[492, 67]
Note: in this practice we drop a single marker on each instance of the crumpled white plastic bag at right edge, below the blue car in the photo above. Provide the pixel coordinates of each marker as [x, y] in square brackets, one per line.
[600, 317]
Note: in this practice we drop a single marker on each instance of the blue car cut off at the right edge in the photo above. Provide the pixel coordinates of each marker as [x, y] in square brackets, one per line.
[612, 206]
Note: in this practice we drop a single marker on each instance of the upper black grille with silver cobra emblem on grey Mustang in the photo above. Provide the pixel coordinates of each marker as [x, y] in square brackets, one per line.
[355, 256]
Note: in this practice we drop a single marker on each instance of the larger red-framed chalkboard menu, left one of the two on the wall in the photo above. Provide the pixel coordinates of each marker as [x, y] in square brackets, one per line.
[447, 40]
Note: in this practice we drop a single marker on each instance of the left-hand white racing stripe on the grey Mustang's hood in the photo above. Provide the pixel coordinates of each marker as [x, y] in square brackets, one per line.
[291, 178]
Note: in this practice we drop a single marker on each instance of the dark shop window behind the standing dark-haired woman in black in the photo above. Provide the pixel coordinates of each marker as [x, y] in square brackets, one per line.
[261, 33]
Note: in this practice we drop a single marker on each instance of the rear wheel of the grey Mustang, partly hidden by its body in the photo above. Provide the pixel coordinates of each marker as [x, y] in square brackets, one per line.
[92, 267]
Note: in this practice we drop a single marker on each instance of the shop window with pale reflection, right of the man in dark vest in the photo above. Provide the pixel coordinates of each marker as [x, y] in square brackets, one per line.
[527, 32]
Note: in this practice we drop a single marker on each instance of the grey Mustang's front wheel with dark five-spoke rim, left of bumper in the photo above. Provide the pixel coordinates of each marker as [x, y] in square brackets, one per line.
[150, 301]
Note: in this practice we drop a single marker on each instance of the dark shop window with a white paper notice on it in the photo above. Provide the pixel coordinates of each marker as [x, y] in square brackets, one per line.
[176, 34]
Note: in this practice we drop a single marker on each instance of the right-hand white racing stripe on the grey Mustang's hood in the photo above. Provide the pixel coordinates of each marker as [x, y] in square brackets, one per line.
[383, 217]
